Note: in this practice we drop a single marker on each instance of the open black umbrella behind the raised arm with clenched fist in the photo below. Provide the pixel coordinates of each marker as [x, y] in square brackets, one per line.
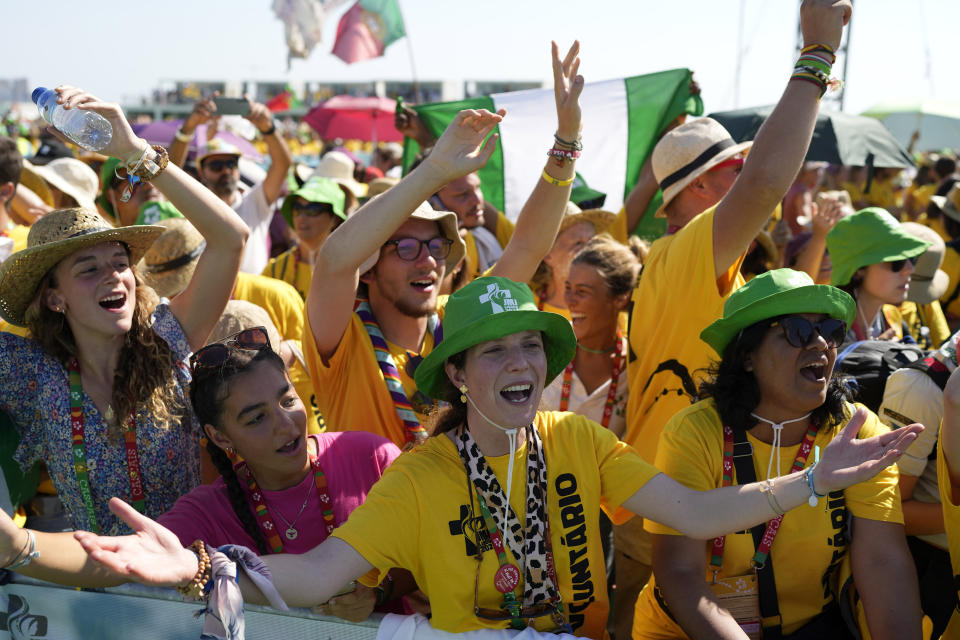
[838, 138]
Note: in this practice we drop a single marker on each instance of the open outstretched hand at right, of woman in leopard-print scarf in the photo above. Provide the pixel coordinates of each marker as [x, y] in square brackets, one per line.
[847, 460]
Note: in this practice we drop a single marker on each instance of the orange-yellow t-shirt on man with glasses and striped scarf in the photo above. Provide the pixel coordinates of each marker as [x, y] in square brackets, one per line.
[350, 391]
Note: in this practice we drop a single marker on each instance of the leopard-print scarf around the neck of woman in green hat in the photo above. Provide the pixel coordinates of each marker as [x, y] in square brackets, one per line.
[529, 548]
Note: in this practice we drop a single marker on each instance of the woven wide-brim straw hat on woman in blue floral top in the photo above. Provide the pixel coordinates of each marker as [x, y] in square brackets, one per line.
[51, 239]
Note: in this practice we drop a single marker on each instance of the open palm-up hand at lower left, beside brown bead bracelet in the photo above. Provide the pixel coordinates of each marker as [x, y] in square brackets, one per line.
[152, 555]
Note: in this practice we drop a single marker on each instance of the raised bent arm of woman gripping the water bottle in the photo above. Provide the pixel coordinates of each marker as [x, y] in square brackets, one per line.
[199, 307]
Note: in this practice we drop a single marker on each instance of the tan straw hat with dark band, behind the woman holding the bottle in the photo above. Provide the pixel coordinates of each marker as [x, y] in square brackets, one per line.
[168, 265]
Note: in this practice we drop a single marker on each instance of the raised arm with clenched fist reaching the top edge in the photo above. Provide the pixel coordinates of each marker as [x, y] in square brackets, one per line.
[779, 147]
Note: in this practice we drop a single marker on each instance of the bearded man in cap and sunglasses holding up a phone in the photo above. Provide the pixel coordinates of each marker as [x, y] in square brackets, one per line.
[218, 168]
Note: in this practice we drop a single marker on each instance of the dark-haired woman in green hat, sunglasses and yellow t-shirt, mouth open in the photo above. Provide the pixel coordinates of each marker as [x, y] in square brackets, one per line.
[771, 404]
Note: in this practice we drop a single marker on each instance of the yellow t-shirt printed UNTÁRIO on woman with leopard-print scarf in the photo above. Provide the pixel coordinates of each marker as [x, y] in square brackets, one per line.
[418, 517]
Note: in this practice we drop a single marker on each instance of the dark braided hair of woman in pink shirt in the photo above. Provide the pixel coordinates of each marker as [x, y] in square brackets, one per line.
[209, 389]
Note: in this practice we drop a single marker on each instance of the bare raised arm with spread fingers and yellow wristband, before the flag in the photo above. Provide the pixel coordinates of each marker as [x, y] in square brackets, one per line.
[539, 220]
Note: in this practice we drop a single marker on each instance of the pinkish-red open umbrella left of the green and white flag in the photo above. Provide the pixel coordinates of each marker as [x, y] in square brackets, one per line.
[354, 118]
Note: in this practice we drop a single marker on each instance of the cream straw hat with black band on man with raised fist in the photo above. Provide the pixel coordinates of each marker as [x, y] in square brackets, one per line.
[688, 152]
